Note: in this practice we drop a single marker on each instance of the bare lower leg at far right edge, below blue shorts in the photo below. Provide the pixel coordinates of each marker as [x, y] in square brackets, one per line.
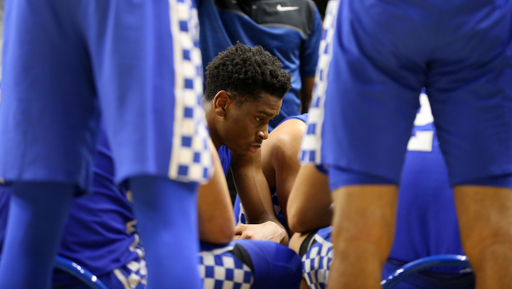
[485, 214]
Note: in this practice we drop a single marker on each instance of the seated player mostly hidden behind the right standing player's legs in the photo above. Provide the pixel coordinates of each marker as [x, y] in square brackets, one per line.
[426, 219]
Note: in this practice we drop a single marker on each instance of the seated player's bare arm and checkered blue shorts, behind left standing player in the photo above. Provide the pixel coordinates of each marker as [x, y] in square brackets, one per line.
[243, 263]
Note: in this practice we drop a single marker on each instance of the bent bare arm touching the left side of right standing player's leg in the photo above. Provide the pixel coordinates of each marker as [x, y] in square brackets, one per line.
[309, 205]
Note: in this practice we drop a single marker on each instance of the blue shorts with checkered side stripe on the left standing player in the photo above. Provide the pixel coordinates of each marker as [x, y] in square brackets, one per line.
[134, 63]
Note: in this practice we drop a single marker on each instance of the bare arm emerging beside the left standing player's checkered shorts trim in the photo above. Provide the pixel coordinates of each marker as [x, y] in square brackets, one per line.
[216, 220]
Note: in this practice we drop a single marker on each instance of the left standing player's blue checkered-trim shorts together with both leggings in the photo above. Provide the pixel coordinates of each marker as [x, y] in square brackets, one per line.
[137, 64]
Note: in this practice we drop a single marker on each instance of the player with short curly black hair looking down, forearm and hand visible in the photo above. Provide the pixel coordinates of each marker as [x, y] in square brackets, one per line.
[244, 91]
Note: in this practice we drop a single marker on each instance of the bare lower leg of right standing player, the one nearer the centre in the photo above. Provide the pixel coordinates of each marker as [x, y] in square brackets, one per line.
[362, 244]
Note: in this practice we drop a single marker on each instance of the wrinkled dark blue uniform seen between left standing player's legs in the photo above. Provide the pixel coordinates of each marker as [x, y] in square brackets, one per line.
[100, 234]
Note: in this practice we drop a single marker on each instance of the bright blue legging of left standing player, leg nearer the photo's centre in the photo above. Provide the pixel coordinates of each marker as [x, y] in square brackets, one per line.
[166, 213]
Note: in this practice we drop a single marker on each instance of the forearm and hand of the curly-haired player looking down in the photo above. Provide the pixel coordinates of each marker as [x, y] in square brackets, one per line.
[252, 188]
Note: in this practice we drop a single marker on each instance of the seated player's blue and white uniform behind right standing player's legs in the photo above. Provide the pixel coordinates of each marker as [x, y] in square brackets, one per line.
[426, 219]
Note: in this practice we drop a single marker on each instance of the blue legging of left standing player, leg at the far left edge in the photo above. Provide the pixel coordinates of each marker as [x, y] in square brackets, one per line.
[37, 216]
